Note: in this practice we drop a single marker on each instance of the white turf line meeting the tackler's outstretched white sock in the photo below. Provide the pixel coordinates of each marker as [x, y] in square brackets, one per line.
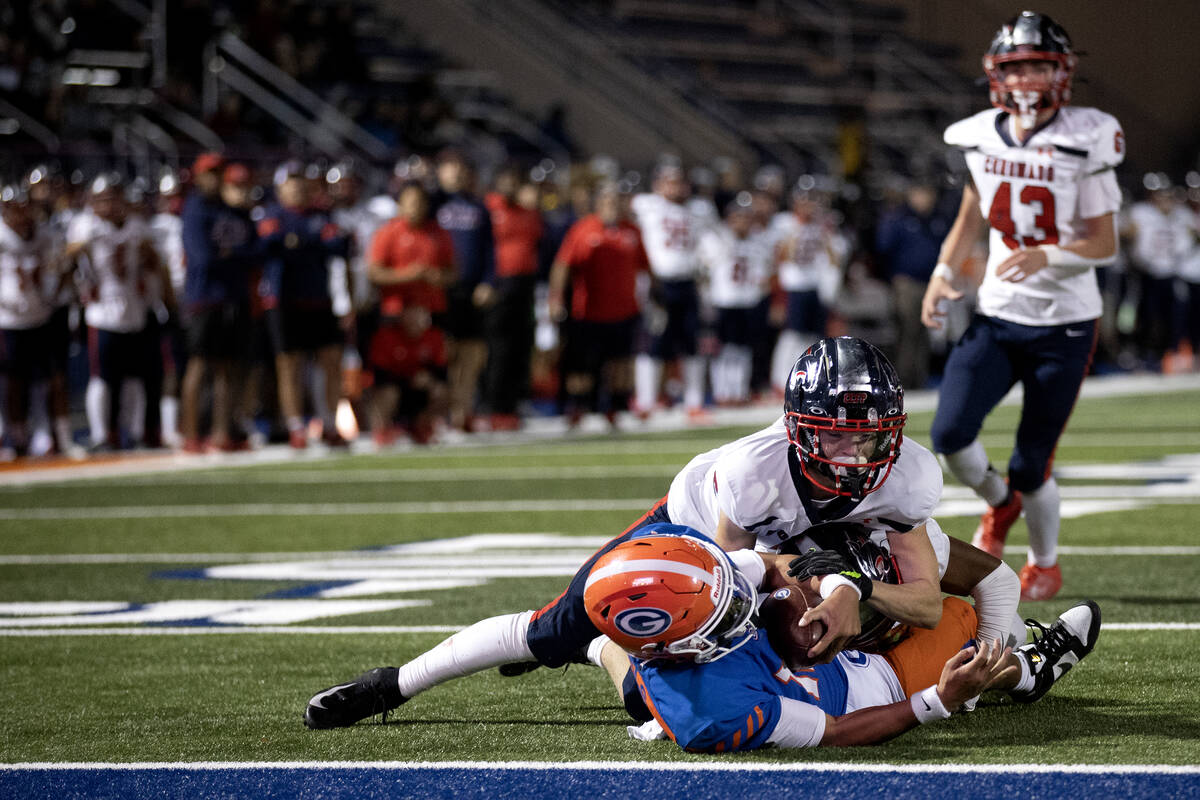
[387, 630]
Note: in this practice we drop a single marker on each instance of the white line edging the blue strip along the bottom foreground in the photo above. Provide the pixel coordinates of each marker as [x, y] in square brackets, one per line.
[715, 767]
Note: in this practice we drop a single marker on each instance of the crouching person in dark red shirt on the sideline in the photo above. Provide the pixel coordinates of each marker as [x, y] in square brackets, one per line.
[409, 358]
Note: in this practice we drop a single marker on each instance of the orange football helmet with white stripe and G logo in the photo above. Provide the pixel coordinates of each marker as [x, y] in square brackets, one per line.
[671, 597]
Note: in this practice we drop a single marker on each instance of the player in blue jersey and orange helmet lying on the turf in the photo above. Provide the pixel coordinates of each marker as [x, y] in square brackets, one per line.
[677, 613]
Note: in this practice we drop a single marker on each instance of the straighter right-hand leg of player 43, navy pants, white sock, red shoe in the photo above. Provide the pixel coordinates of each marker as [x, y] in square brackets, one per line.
[1057, 364]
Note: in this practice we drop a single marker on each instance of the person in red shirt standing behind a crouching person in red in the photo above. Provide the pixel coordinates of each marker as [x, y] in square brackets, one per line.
[412, 258]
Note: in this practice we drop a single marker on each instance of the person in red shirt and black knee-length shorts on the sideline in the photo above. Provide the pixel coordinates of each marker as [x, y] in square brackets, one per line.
[602, 257]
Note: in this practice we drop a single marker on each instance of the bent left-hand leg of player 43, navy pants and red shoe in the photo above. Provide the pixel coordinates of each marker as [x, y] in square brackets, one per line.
[979, 375]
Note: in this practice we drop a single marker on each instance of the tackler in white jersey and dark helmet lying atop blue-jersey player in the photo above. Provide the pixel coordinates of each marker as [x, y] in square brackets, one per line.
[770, 490]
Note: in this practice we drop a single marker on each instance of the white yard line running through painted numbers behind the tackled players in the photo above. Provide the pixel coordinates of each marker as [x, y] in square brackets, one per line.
[74, 560]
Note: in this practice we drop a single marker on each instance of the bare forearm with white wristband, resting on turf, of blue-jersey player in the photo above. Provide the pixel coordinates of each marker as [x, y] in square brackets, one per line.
[968, 673]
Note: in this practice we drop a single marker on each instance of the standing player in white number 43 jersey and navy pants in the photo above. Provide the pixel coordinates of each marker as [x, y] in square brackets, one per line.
[1042, 178]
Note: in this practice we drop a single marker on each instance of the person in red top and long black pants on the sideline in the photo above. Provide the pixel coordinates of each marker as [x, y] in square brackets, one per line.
[517, 228]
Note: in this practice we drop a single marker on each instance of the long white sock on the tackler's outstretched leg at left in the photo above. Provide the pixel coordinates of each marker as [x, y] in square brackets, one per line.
[488, 643]
